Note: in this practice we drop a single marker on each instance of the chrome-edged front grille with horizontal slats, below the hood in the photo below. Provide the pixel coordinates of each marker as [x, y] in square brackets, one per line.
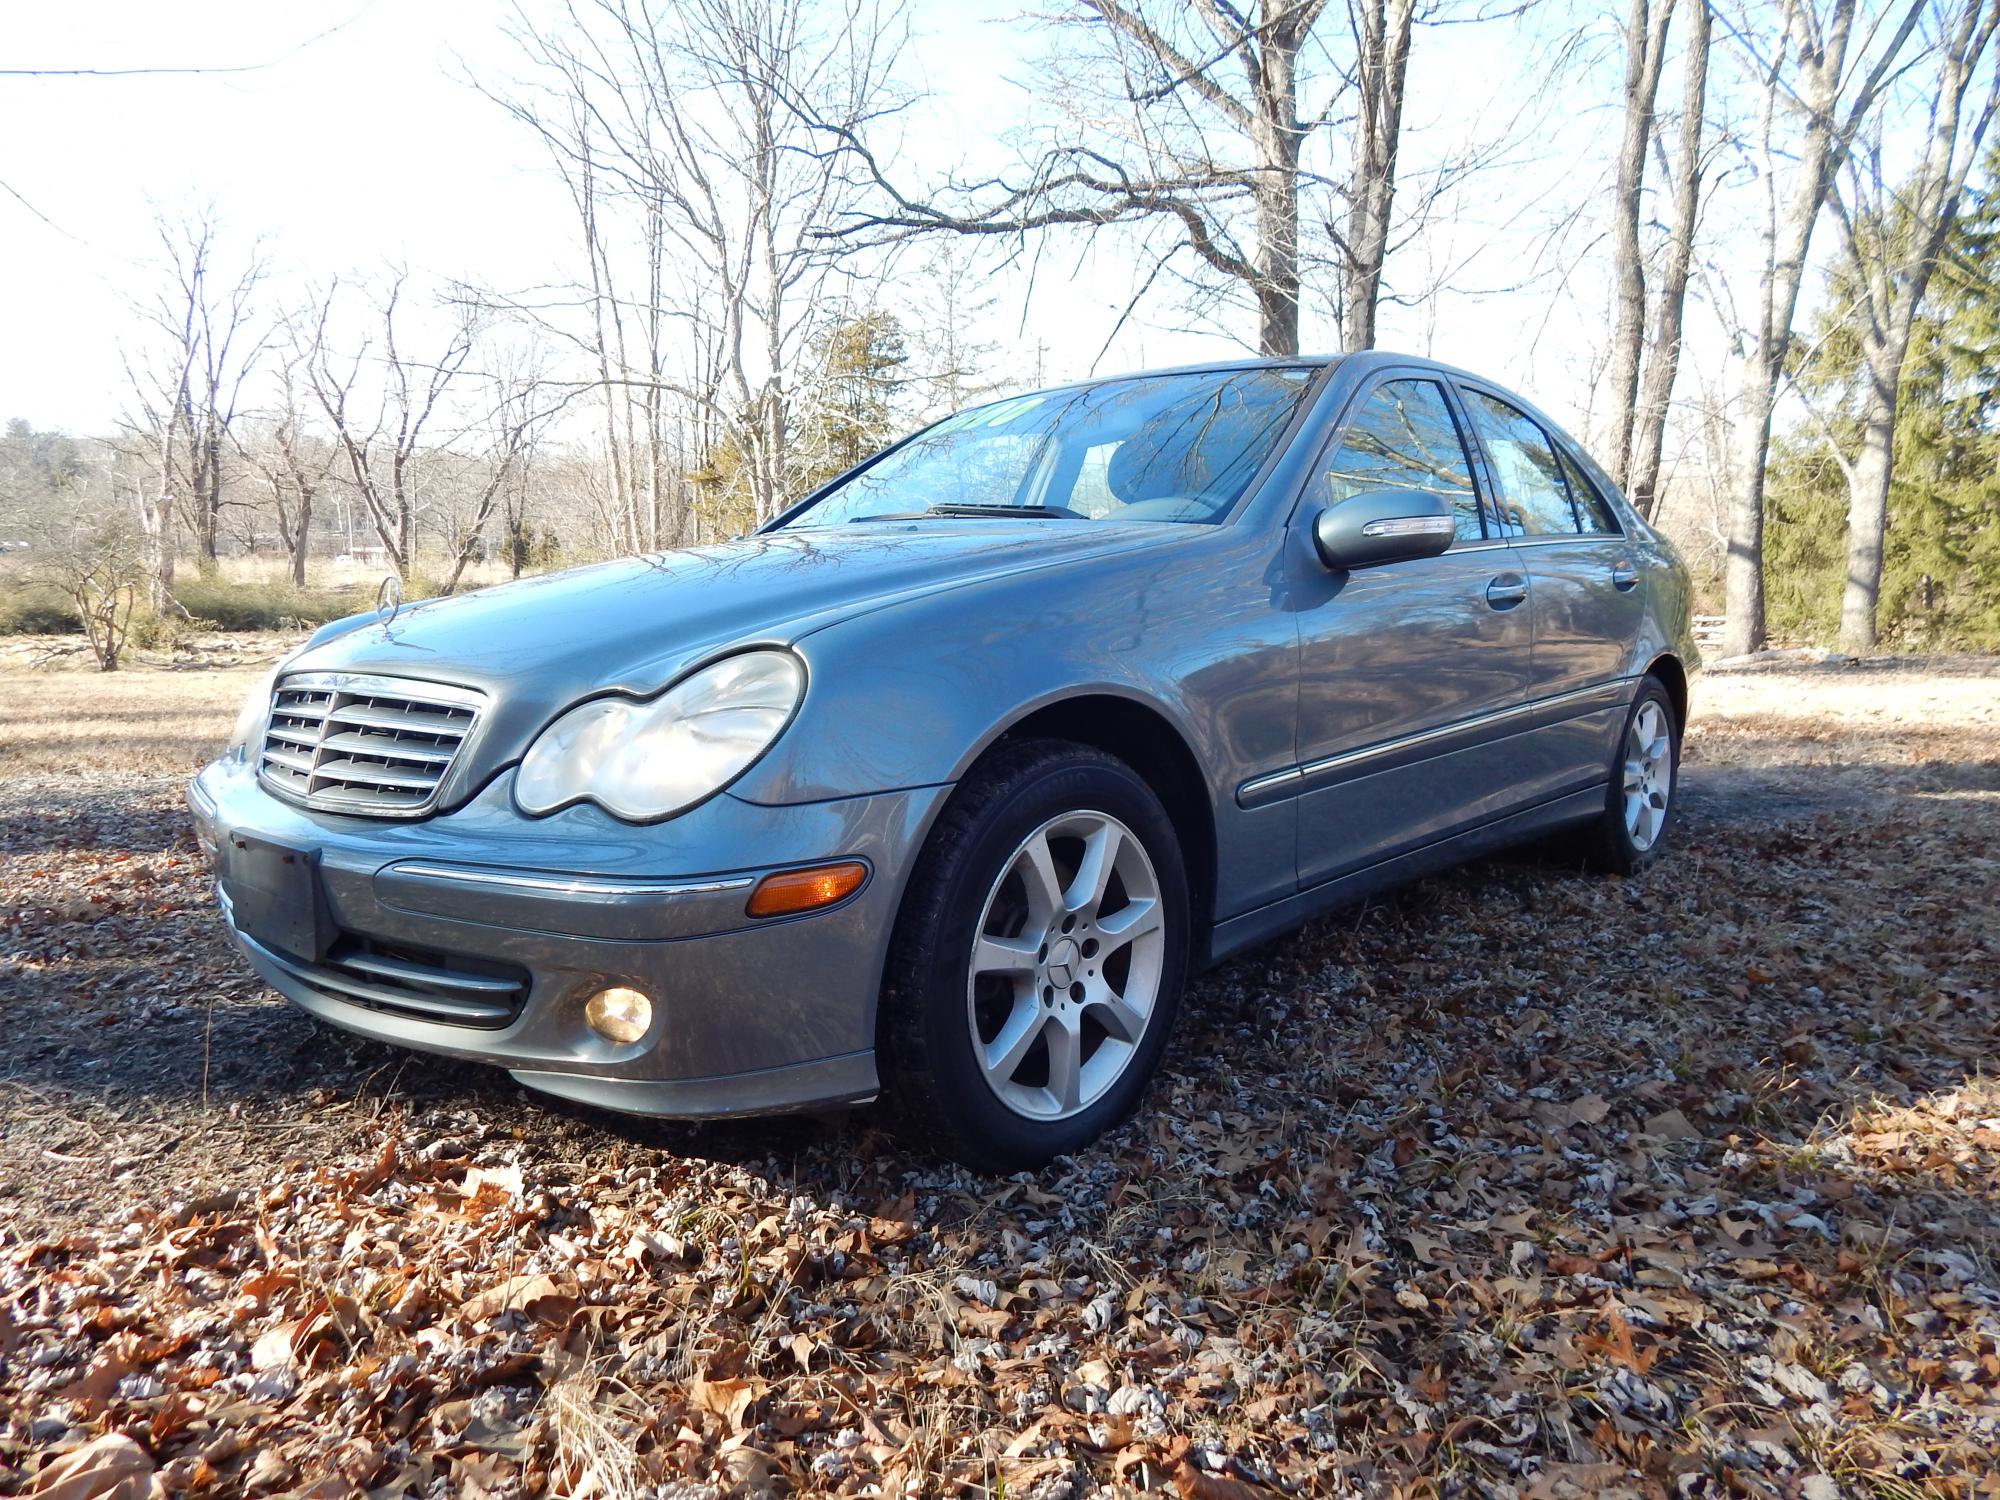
[375, 747]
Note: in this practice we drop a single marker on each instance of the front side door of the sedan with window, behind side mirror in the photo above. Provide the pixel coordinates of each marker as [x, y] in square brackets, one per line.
[1409, 669]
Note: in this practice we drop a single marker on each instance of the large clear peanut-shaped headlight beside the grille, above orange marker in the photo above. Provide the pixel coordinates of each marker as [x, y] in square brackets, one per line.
[643, 761]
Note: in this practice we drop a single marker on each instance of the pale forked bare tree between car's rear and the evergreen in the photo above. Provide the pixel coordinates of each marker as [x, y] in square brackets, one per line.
[1823, 69]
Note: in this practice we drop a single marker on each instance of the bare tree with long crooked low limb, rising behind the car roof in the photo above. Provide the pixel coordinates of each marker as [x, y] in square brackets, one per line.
[1195, 125]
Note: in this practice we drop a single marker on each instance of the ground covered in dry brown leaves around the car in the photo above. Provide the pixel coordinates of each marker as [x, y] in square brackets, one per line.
[1519, 1183]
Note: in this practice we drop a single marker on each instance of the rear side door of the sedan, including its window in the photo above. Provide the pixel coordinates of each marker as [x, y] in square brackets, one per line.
[1587, 603]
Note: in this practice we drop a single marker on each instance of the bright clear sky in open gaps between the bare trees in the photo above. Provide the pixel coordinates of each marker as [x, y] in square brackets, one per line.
[359, 143]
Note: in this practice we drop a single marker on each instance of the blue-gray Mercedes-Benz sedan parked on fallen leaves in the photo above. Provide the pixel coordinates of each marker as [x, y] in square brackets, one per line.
[939, 785]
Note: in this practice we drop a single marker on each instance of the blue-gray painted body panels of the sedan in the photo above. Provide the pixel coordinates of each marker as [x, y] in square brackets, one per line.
[1353, 729]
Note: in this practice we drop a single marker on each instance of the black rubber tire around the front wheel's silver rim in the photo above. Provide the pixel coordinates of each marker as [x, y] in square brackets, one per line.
[925, 1035]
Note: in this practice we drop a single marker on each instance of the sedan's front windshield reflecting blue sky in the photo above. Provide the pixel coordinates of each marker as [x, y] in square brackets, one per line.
[1177, 449]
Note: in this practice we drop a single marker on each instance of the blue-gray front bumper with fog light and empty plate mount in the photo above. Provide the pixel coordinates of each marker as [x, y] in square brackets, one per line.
[751, 1017]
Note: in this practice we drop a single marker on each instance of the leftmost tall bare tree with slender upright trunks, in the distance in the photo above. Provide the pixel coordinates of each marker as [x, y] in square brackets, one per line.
[189, 385]
